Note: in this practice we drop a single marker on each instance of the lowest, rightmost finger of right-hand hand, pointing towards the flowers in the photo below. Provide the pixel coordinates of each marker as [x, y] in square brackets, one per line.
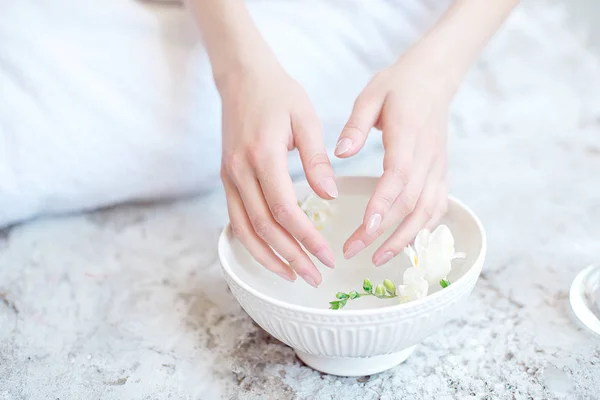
[410, 226]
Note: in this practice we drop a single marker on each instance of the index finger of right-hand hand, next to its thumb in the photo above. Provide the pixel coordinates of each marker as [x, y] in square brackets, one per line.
[399, 142]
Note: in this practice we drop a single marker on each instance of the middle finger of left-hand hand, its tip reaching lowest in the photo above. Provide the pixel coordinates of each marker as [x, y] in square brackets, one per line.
[273, 234]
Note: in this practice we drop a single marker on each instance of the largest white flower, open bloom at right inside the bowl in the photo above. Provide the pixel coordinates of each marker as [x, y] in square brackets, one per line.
[433, 253]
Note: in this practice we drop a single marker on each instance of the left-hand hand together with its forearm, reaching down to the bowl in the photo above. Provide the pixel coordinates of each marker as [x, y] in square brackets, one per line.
[265, 114]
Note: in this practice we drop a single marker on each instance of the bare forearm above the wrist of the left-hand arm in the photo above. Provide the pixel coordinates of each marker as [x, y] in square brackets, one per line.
[232, 40]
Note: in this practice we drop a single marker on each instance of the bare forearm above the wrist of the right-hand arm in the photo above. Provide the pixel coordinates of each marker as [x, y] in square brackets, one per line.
[461, 33]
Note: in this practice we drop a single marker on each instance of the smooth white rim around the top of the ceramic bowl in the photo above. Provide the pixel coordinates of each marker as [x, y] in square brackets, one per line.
[370, 311]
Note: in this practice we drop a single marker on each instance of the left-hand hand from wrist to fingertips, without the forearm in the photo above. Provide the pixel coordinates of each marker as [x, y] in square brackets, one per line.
[265, 115]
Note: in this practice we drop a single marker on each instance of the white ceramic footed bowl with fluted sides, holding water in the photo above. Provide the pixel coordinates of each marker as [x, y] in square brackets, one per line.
[369, 335]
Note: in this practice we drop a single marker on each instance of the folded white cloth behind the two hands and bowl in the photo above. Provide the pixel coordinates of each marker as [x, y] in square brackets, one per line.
[108, 101]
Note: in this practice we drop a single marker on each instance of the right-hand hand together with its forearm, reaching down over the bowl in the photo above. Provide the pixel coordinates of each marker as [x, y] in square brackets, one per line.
[409, 102]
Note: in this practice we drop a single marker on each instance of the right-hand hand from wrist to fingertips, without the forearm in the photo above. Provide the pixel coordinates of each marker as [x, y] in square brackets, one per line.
[409, 102]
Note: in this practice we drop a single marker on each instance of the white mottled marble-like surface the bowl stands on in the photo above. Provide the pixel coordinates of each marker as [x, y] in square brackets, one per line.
[129, 302]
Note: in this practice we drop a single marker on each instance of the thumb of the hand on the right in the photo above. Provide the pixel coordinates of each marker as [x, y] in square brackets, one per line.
[364, 116]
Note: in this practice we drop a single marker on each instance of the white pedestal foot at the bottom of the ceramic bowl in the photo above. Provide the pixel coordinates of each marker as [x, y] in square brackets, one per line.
[352, 366]
